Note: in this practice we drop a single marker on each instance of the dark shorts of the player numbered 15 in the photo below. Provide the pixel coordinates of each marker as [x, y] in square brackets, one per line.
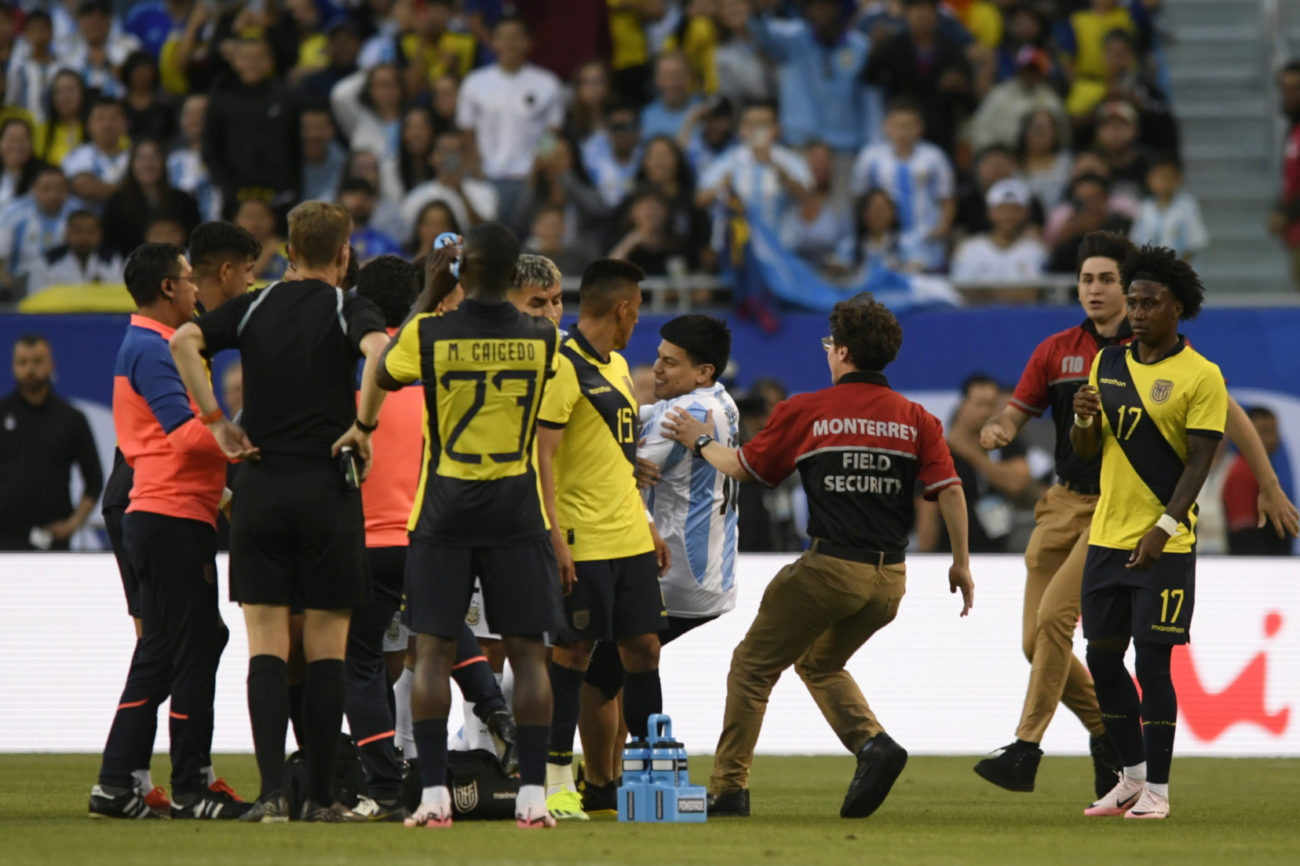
[614, 599]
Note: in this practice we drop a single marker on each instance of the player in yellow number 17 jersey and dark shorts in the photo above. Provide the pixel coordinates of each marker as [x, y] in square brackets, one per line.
[1156, 412]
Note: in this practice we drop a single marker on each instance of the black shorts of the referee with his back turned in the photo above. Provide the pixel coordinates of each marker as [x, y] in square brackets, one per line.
[297, 536]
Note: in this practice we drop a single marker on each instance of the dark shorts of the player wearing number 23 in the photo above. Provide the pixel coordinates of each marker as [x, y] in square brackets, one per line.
[521, 586]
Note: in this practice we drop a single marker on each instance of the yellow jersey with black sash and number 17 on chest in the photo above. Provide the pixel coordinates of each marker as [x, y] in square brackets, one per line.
[1147, 414]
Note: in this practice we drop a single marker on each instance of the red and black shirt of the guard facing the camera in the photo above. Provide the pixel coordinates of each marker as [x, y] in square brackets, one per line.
[1055, 373]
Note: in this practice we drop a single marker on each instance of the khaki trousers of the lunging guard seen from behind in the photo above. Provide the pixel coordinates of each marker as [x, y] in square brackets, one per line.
[816, 614]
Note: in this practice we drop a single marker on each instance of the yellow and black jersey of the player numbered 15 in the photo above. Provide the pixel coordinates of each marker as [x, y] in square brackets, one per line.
[596, 492]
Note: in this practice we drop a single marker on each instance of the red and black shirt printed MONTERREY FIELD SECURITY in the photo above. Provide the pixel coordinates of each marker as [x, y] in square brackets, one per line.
[861, 449]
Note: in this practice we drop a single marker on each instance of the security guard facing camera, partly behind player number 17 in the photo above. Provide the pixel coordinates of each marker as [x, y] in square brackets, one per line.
[1058, 549]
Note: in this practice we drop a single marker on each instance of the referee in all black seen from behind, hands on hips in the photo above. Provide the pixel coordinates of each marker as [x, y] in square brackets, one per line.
[297, 538]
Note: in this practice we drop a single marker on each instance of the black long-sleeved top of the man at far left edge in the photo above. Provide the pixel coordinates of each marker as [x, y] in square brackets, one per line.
[38, 449]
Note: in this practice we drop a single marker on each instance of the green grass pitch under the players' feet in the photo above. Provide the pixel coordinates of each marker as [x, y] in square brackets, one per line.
[1225, 811]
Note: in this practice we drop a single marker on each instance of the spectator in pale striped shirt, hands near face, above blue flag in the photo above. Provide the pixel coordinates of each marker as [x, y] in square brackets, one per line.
[761, 174]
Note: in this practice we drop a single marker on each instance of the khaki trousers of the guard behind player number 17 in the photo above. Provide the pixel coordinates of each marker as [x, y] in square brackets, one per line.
[1052, 590]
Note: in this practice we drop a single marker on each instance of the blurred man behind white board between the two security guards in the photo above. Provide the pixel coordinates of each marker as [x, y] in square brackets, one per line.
[991, 480]
